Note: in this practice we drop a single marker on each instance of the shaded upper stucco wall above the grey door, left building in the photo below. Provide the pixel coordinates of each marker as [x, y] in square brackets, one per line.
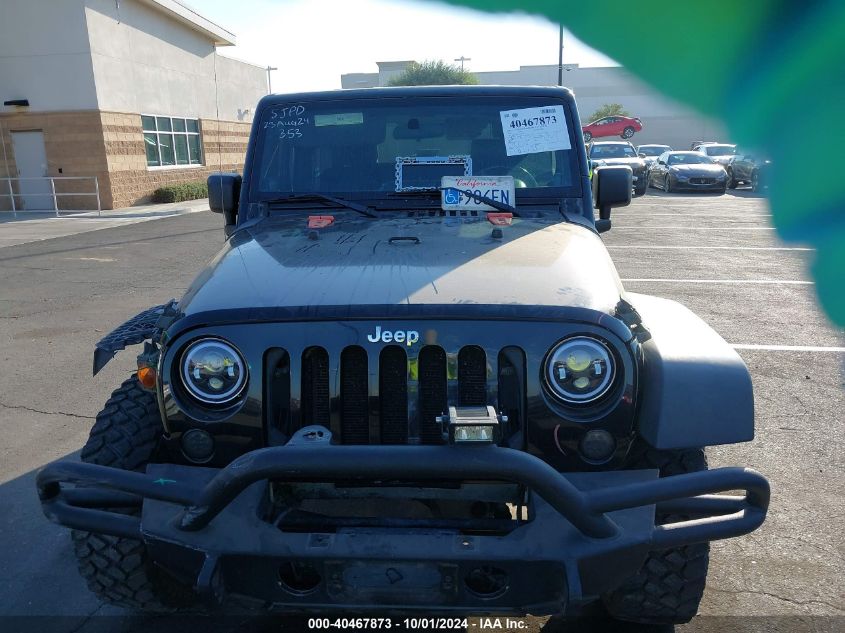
[47, 61]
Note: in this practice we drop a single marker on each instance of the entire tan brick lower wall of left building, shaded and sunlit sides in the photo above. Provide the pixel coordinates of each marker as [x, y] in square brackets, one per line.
[110, 146]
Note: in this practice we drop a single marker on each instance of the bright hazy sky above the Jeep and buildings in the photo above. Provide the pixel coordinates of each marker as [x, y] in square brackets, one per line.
[313, 42]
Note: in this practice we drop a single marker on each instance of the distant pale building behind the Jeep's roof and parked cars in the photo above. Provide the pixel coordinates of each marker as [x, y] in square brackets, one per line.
[664, 121]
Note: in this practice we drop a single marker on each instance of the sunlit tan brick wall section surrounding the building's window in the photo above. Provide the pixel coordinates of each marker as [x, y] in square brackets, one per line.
[132, 182]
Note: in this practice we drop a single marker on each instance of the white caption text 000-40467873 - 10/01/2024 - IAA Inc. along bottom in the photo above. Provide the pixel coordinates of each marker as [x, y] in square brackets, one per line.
[419, 624]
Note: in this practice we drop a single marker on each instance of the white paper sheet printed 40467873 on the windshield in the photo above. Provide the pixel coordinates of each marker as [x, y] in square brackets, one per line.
[533, 130]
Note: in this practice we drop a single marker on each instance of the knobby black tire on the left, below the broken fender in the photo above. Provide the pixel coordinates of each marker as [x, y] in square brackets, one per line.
[118, 570]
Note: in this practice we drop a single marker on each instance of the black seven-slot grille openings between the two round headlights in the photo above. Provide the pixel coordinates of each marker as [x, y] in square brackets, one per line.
[372, 396]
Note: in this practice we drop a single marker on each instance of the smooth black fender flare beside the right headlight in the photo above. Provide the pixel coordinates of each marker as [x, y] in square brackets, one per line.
[695, 389]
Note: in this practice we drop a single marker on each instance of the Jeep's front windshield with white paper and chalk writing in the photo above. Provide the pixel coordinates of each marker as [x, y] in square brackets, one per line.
[369, 148]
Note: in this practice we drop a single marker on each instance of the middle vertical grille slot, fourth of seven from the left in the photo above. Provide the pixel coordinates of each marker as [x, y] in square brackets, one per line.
[393, 395]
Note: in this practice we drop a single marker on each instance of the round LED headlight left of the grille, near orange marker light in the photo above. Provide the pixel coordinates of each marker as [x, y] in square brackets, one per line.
[213, 371]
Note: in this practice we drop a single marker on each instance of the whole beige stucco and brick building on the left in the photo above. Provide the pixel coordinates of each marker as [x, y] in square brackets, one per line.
[132, 92]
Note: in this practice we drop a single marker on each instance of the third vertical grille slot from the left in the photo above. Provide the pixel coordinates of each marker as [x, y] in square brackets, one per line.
[354, 391]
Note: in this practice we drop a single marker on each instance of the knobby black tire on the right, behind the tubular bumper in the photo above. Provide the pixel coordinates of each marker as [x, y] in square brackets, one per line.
[668, 588]
